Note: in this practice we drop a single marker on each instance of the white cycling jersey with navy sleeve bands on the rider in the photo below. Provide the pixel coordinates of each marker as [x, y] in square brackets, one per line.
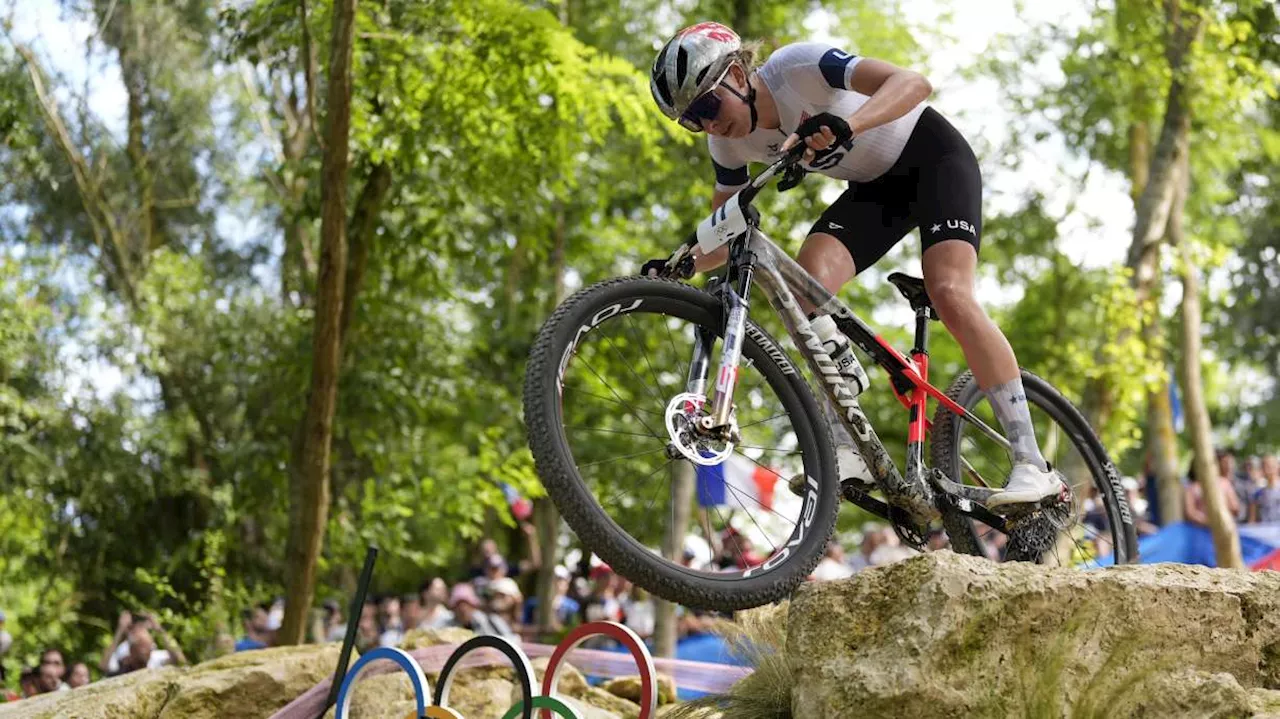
[806, 80]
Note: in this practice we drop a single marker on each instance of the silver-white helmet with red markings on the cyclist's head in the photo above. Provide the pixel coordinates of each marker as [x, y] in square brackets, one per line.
[692, 65]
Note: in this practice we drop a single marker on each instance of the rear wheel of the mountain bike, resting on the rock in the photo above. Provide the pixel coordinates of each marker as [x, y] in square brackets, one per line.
[1096, 529]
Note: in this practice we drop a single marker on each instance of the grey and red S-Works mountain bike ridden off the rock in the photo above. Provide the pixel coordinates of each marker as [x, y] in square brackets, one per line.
[628, 422]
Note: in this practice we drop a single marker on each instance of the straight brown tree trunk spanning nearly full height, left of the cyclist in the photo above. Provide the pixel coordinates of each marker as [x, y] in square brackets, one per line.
[312, 462]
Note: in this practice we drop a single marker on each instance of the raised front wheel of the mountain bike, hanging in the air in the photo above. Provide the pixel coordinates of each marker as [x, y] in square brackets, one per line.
[606, 406]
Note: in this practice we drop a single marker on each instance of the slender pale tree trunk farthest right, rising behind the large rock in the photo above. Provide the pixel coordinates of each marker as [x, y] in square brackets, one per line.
[1227, 543]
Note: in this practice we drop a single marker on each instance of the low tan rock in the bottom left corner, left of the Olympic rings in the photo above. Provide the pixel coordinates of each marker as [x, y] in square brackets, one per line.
[250, 685]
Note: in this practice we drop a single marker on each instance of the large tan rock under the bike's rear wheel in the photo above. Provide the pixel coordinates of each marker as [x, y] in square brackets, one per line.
[947, 635]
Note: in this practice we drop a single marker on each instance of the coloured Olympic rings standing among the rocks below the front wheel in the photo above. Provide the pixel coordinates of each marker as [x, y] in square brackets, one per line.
[548, 703]
